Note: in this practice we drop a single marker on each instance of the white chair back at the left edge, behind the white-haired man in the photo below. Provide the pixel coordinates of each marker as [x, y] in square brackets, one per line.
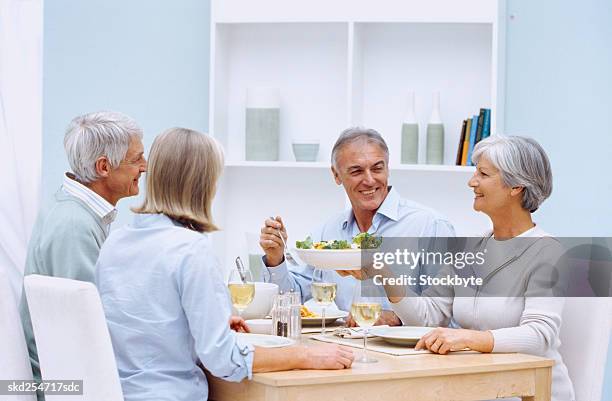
[14, 359]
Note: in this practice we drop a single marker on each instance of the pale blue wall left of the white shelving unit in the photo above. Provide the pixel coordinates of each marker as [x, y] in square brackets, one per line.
[146, 58]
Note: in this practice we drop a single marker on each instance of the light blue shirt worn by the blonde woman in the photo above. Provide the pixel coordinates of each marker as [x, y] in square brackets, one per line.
[167, 307]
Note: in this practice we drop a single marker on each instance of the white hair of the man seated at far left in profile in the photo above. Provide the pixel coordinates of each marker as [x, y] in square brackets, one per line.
[93, 135]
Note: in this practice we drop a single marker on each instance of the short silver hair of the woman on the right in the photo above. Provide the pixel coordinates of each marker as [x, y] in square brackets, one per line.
[521, 162]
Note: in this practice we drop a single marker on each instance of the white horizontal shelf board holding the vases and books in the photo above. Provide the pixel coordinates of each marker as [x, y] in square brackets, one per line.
[324, 165]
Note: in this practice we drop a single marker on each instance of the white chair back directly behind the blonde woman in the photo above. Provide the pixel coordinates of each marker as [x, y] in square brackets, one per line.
[72, 336]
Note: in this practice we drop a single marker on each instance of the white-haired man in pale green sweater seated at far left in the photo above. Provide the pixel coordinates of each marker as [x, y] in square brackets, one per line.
[106, 155]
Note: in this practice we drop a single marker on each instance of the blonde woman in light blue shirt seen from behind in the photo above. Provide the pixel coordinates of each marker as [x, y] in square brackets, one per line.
[162, 289]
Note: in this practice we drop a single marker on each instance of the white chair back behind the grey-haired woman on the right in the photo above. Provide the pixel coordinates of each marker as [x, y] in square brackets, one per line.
[585, 335]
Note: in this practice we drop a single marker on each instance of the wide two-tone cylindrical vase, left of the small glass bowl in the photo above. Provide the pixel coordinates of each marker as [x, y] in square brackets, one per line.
[262, 128]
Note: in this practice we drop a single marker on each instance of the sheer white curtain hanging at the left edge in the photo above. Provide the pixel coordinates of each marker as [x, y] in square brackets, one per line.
[21, 31]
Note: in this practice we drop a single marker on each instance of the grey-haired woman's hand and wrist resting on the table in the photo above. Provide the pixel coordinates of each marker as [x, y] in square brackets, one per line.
[443, 340]
